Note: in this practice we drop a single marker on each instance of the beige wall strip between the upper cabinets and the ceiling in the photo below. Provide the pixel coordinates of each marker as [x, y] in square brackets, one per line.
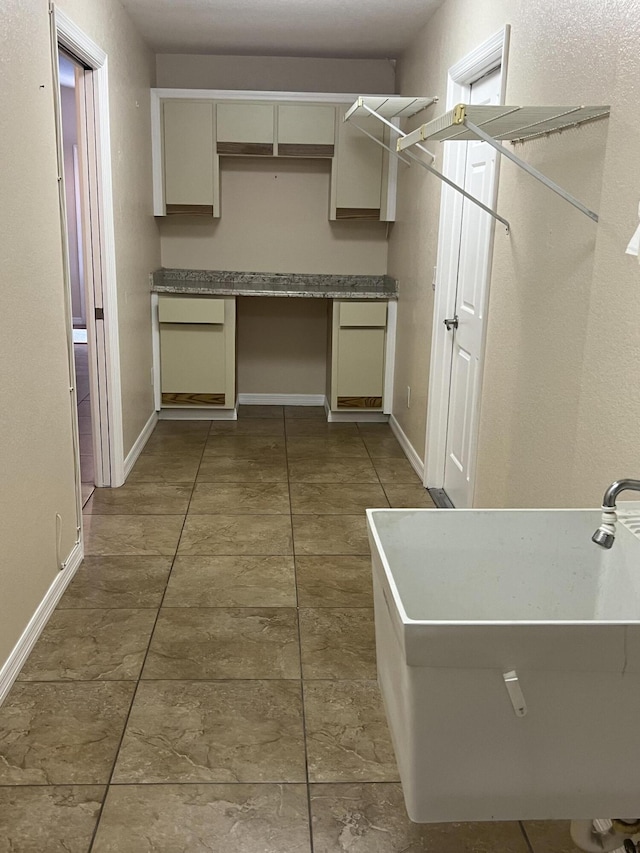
[275, 73]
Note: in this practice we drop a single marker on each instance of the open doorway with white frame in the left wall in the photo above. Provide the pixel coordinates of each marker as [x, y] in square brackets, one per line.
[87, 230]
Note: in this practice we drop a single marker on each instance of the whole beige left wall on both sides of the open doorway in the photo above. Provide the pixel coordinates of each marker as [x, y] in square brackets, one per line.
[36, 451]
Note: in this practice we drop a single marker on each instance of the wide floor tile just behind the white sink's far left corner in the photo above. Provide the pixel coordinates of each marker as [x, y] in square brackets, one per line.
[329, 498]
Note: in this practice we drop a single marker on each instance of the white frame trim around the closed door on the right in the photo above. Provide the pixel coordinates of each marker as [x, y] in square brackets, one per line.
[491, 54]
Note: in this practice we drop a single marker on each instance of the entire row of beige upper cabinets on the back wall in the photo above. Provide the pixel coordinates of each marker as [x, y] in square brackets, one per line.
[192, 131]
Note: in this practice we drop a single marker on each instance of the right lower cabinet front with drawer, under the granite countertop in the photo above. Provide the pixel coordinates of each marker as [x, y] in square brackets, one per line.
[357, 358]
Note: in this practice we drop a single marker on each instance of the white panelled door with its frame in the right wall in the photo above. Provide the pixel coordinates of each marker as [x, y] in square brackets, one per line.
[465, 245]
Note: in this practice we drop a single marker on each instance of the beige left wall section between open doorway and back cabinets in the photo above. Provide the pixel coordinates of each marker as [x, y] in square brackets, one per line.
[131, 74]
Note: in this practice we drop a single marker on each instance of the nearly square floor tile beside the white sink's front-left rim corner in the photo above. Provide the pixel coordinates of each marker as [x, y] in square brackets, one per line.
[337, 643]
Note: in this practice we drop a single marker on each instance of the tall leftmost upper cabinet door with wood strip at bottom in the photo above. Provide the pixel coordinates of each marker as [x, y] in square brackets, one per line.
[188, 157]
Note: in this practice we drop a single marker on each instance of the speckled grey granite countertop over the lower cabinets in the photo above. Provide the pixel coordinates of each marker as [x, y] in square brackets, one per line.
[224, 283]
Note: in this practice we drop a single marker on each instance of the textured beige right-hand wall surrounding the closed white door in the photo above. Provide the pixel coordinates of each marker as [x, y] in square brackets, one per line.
[557, 416]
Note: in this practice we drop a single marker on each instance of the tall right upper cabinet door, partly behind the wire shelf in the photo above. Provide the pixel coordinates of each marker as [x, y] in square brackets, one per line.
[357, 172]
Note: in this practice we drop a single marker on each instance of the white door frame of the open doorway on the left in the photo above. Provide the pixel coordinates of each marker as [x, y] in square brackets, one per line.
[101, 291]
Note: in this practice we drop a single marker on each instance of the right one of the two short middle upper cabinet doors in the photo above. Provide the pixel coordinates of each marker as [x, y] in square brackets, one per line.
[306, 131]
